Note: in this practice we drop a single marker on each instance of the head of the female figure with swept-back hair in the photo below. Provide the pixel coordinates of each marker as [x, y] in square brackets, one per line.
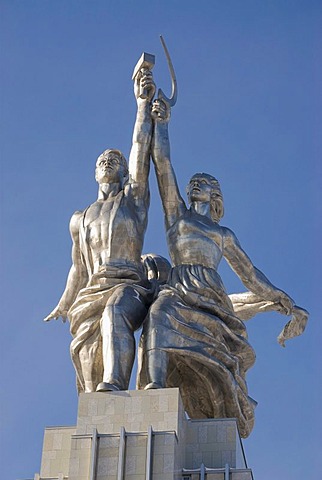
[205, 188]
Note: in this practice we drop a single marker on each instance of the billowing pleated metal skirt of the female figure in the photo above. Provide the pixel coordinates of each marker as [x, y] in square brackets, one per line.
[194, 322]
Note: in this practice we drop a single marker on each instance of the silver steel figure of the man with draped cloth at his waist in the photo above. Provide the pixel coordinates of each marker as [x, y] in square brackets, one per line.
[107, 291]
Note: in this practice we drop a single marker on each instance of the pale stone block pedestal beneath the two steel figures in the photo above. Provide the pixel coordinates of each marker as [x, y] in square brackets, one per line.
[142, 435]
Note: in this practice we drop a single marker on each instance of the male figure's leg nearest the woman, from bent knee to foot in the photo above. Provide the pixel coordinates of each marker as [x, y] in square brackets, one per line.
[123, 314]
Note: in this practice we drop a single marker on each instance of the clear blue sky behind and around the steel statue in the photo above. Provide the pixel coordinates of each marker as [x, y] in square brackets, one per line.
[248, 112]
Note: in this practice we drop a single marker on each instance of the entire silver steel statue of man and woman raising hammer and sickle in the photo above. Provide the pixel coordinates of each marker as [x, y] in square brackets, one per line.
[194, 336]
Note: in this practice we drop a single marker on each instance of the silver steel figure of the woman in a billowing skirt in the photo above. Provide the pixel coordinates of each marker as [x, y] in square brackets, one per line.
[192, 337]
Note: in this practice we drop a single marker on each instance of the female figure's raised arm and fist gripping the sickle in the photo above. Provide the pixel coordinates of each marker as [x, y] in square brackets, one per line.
[173, 204]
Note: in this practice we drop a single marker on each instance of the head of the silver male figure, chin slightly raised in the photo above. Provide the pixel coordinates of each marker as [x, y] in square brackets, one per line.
[111, 167]
